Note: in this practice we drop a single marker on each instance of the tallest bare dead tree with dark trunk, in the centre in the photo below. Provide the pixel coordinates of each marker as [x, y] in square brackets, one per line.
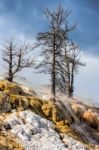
[53, 42]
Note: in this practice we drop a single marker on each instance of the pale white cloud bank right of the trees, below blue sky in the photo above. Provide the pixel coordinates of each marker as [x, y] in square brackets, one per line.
[87, 81]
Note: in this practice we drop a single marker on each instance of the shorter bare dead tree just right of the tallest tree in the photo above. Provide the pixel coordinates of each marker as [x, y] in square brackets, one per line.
[71, 62]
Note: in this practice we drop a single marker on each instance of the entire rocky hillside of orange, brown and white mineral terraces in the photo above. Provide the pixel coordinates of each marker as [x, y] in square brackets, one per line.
[30, 123]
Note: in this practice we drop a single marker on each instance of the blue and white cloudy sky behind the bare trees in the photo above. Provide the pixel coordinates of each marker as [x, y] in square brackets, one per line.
[23, 19]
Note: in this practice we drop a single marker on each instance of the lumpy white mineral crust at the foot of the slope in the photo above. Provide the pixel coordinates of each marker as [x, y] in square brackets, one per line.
[37, 133]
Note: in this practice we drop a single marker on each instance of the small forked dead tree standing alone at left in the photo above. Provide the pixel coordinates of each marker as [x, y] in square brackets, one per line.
[16, 57]
